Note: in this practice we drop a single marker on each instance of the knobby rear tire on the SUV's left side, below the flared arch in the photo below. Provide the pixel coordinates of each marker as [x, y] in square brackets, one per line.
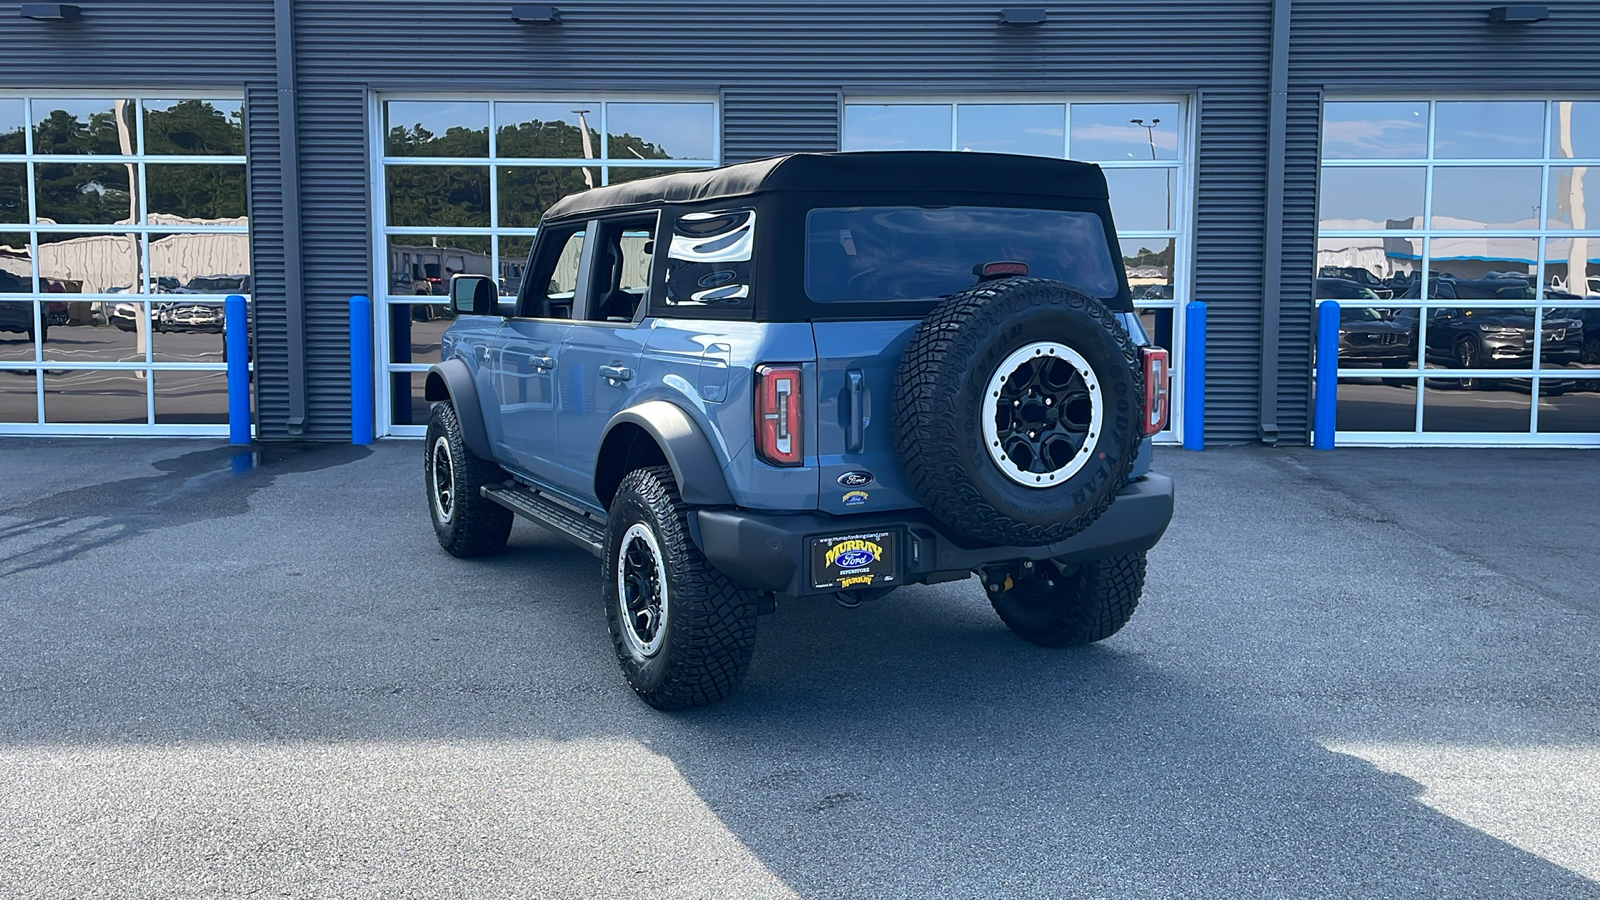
[708, 624]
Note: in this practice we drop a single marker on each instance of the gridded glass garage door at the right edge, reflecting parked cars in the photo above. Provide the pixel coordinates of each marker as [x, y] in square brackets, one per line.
[1463, 230]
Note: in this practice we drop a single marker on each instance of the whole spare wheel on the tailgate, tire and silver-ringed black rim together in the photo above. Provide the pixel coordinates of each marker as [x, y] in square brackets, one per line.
[1017, 411]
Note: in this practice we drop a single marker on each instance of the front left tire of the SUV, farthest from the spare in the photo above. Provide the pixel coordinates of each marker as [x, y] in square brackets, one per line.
[473, 524]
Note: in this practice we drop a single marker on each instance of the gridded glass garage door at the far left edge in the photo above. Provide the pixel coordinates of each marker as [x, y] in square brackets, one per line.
[124, 228]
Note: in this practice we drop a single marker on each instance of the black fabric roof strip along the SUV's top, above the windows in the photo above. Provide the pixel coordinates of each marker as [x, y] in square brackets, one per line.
[889, 172]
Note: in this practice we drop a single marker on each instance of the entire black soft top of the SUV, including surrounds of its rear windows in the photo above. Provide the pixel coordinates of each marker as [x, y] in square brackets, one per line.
[782, 193]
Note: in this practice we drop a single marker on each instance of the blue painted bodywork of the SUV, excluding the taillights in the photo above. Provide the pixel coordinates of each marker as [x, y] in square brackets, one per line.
[546, 404]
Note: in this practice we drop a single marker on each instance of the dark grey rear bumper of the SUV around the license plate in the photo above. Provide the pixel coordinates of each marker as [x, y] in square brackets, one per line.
[767, 552]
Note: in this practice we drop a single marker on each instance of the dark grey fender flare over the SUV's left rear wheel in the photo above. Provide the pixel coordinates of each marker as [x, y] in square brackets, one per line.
[660, 433]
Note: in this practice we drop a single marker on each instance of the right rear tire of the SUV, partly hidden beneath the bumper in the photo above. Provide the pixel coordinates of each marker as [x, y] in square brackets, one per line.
[1070, 606]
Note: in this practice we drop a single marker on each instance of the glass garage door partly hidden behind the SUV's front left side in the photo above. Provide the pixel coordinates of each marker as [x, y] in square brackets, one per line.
[465, 185]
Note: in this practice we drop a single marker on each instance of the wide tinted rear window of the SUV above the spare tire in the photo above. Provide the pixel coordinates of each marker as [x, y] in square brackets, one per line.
[886, 254]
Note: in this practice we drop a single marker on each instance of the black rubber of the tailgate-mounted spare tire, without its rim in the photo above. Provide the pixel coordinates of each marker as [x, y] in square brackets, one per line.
[940, 393]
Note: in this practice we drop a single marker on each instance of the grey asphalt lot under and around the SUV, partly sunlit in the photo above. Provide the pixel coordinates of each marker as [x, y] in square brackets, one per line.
[1366, 673]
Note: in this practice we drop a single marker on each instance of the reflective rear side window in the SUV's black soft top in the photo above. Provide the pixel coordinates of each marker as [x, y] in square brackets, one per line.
[710, 260]
